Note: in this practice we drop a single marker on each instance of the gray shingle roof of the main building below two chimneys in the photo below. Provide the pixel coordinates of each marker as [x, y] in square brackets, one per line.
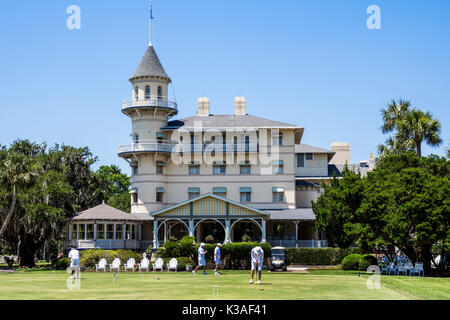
[227, 121]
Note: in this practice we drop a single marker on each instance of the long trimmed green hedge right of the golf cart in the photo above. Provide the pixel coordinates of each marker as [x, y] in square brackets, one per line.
[318, 256]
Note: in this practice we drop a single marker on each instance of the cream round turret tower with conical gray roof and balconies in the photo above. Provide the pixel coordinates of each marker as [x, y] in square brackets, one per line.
[149, 149]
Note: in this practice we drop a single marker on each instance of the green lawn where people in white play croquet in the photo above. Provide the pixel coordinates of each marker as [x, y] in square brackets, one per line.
[317, 285]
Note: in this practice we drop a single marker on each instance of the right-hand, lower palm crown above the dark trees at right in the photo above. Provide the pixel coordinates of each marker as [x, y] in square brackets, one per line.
[417, 127]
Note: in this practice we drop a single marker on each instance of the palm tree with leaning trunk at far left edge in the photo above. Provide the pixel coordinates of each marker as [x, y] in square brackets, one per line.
[17, 171]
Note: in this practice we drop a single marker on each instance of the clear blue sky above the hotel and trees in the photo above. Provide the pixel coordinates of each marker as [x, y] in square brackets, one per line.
[311, 63]
